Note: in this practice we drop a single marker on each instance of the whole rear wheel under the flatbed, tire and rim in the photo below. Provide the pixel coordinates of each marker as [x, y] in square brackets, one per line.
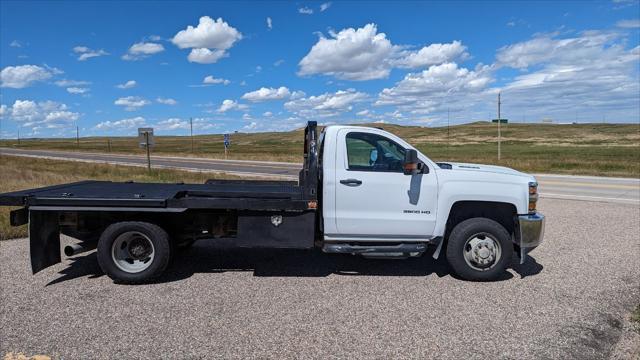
[133, 252]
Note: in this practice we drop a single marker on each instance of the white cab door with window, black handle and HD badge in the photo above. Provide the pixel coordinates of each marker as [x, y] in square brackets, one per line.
[373, 196]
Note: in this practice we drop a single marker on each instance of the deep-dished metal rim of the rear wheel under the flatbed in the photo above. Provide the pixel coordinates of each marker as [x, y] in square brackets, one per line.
[132, 252]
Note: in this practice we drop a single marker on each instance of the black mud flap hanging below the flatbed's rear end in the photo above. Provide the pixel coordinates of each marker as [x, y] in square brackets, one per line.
[44, 237]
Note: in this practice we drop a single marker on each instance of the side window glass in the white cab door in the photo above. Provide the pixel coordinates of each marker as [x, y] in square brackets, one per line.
[371, 152]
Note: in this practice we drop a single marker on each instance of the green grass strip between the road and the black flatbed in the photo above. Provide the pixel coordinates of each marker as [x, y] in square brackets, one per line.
[18, 173]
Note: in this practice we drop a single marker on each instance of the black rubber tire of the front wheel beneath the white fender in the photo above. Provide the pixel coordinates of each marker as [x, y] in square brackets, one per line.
[479, 228]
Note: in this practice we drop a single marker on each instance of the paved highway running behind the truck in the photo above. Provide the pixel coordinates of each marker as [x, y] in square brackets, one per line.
[586, 188]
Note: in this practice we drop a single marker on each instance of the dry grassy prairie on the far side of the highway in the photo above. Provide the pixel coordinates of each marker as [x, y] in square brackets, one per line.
[588, 149]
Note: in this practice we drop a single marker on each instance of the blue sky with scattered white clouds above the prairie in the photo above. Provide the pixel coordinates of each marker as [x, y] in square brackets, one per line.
[110, 67]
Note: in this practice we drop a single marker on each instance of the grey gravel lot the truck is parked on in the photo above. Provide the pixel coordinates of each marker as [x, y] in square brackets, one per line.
[568, 301]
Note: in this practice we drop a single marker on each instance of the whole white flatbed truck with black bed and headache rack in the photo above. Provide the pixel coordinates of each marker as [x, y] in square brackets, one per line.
[362, 191]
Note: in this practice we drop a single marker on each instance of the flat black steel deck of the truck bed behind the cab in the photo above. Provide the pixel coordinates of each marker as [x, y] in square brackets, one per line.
[228, 194]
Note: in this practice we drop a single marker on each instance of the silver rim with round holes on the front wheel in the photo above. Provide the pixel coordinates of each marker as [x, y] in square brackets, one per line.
[482, 251]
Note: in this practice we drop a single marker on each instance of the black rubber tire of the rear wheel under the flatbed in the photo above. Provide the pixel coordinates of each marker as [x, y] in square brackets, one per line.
[161, 249]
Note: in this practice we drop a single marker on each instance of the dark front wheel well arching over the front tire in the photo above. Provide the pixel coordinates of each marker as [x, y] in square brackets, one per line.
[502, 213]
